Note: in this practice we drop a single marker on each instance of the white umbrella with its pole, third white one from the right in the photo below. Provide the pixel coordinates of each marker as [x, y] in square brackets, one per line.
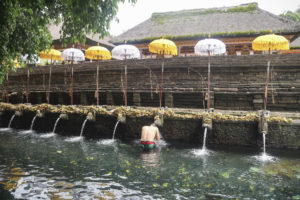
[73, 55]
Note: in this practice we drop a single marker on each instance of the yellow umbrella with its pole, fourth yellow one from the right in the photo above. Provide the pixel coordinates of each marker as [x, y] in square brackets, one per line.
[51, 54]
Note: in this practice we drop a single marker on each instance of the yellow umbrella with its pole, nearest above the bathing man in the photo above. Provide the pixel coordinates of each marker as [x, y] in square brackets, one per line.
[163, 47]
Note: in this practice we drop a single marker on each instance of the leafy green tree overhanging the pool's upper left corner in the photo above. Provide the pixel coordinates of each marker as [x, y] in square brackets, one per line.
[23, 24]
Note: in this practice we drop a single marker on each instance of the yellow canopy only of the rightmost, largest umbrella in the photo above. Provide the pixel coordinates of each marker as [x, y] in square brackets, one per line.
[270, 42]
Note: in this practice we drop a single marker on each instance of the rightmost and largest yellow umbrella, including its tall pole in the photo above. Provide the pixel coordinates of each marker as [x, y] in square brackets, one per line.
[269, 43]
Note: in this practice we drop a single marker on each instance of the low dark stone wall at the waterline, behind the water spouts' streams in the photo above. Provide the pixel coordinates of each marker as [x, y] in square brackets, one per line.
[228, 133]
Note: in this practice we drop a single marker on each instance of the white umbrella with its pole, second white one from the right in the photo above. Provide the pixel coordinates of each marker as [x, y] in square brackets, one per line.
[124, 52]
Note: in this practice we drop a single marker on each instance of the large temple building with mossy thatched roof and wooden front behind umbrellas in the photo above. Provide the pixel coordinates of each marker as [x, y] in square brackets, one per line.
[236, 26]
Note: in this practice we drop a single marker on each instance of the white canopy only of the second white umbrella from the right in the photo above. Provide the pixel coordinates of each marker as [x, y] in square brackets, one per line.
[127, 51]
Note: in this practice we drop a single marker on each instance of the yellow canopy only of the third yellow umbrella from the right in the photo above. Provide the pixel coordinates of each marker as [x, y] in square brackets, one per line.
[97, 53]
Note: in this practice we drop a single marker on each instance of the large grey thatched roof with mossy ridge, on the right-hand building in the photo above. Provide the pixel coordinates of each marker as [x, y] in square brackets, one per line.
[246, 19]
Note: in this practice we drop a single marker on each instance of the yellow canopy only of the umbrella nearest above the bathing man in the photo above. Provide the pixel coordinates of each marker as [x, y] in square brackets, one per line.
[163, 46]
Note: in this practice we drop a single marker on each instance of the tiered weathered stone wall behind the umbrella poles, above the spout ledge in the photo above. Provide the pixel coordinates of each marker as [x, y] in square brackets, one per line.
[237, 82]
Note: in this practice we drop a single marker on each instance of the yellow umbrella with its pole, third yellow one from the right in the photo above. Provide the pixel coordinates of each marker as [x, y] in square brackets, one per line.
[97, 53]
